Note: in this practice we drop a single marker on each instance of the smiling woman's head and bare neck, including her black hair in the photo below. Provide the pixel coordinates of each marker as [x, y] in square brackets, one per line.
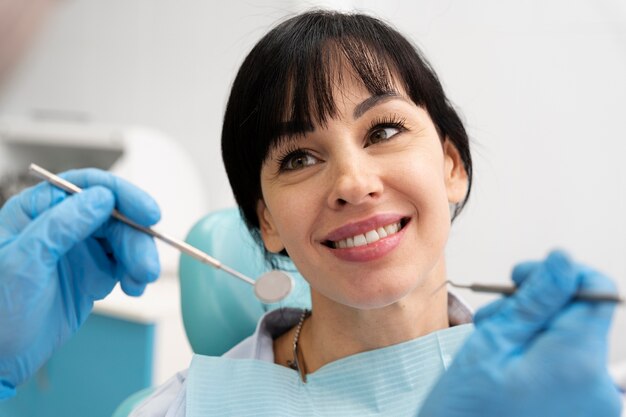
[353, 156]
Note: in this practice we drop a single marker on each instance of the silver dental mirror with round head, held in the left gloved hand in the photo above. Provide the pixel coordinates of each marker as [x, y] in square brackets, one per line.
[270, 287]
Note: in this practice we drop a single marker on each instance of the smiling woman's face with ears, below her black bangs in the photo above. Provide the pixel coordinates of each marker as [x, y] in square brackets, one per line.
[361, 204]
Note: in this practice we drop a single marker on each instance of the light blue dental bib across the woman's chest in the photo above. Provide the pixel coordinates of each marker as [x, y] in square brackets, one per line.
[391, 381]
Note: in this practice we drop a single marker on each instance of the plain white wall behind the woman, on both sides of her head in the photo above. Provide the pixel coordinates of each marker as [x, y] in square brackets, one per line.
[540, 85]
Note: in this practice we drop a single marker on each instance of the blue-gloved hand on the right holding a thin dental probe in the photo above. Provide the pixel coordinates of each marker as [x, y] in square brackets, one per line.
[537, 353]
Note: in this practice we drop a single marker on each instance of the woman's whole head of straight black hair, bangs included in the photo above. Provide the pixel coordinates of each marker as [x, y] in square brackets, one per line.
[288, 83]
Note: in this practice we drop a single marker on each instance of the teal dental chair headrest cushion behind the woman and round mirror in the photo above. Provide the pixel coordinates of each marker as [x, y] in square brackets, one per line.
[218, 310]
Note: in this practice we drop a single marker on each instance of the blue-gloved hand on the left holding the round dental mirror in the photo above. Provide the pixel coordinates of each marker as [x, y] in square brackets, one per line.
[58, 254]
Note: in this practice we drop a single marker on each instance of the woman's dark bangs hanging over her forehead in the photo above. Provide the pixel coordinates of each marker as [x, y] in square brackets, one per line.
[303, 91]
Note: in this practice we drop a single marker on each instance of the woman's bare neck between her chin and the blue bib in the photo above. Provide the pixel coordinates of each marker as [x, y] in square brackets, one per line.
[335, 330]
